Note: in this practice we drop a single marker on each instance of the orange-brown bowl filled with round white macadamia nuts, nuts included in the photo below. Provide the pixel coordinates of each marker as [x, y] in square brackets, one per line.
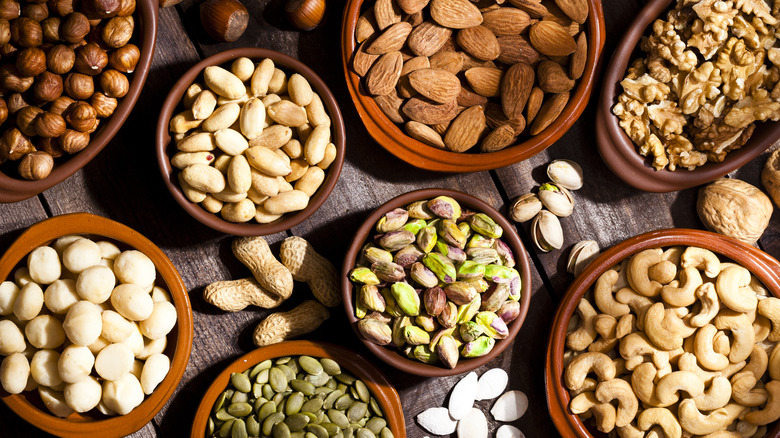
[95, 327]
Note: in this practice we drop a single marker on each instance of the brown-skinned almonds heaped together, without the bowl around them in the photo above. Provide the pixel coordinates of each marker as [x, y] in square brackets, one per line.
[459, 74]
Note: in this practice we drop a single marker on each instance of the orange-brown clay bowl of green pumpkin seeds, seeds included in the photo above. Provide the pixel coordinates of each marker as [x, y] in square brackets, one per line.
[300, 388]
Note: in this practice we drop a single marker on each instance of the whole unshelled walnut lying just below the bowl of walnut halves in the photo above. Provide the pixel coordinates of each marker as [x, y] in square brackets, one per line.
[734, 208]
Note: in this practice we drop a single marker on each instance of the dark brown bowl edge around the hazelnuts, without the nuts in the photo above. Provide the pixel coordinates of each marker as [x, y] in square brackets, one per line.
[14, 189]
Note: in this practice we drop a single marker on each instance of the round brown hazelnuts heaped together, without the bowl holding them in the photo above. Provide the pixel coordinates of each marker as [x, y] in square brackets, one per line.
[64, 69]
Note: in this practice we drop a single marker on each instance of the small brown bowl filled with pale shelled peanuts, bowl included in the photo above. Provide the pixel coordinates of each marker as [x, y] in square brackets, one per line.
[250, 142]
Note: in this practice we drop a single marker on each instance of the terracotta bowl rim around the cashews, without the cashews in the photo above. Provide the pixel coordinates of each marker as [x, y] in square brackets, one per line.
[758, 262]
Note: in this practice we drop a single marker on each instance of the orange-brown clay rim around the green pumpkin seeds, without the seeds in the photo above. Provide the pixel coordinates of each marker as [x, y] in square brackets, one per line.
[379, 385]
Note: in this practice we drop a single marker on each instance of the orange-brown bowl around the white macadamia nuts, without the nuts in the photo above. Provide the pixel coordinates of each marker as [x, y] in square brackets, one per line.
[28, 405]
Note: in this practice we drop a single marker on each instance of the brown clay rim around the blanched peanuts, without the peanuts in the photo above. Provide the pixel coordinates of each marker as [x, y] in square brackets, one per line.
[163, 143]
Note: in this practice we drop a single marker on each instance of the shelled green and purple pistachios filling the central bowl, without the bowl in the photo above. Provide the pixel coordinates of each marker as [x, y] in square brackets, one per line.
[470, 289]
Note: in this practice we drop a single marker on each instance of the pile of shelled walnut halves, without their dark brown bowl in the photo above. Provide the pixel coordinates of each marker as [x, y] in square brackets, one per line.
[710, 71]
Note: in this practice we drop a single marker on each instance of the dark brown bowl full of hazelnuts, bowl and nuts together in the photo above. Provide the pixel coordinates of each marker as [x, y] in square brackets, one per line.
[70, 73]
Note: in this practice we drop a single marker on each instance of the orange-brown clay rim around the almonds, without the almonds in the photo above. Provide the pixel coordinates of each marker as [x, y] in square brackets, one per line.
[394, 140]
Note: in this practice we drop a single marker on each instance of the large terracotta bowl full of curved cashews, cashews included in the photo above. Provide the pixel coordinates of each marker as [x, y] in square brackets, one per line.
[673, 332]
